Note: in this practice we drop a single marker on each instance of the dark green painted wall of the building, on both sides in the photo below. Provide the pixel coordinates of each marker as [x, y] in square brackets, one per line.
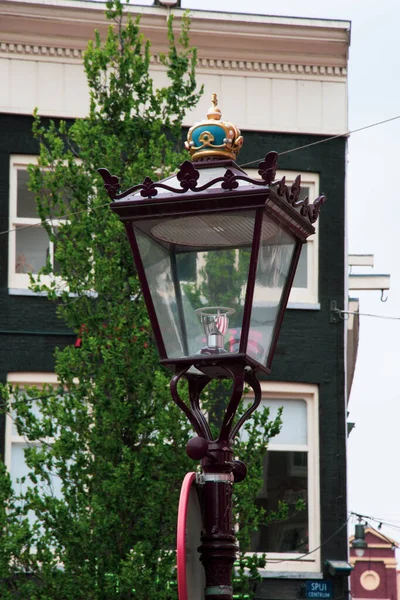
[310, 349]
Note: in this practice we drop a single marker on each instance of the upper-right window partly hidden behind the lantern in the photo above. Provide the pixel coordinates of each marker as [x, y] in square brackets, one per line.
[305, 285]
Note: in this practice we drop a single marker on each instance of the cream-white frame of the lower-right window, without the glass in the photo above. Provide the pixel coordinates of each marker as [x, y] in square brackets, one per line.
[297, 562]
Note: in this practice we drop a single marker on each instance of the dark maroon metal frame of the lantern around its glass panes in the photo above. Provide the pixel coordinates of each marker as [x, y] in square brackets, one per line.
[233, 191]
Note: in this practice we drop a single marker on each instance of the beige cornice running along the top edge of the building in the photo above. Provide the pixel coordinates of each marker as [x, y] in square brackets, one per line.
[224, 40]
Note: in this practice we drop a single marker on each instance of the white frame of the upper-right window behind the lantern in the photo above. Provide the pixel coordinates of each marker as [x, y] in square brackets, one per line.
[304, 297]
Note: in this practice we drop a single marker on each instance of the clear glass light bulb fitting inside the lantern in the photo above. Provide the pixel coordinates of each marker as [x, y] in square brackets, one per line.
[215, 321]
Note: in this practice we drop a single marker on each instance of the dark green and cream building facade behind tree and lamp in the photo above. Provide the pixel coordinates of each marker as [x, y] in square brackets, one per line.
[283, 81]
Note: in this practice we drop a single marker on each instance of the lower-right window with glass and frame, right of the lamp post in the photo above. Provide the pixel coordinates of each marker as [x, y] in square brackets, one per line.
[291, 476]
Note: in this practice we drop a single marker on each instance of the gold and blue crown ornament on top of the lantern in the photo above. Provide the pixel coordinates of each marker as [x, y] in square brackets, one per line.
[213, 138]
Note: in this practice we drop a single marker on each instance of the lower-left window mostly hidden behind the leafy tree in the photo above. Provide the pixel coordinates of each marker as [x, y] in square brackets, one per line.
[15, 444]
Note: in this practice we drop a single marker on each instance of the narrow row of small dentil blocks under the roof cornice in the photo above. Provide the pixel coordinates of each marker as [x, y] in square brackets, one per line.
[37, 52]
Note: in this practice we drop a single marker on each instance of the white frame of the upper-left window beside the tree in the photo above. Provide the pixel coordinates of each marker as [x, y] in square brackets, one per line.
[18, 282]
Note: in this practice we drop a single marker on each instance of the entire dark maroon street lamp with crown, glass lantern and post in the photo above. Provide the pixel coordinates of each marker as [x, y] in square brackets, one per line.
[212, 210]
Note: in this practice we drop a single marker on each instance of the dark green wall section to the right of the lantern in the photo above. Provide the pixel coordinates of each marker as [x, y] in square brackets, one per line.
[310, 348]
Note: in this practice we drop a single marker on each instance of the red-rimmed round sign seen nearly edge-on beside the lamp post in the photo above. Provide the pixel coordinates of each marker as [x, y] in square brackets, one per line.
[191, 578]
